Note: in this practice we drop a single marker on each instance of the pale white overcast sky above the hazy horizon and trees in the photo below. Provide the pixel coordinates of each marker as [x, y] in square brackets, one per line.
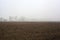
[46, 9]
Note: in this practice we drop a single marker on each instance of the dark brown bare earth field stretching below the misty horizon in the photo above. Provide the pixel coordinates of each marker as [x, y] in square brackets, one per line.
[29, 30]
